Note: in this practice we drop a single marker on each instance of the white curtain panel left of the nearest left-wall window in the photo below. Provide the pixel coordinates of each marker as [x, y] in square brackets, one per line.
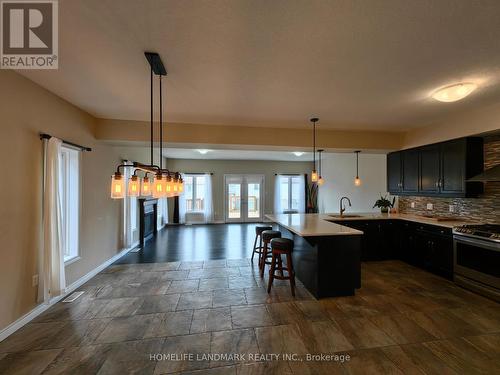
[52, 281]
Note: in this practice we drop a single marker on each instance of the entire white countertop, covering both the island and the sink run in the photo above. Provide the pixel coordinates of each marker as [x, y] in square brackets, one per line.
[309, 225]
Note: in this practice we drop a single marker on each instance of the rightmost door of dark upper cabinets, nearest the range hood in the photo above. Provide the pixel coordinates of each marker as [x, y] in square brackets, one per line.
[453, 167]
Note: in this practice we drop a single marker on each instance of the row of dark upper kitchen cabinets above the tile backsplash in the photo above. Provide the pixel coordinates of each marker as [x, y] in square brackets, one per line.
[439, 169]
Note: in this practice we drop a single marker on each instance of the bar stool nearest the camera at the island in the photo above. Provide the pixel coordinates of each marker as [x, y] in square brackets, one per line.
[279, 247]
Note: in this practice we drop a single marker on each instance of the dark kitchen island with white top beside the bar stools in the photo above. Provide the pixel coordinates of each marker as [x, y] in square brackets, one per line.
[326, 256]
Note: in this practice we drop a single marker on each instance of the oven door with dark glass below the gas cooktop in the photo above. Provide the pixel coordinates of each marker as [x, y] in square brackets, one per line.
[477, 260]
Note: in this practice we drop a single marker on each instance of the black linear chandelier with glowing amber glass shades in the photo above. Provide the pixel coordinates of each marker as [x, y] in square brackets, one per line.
[157, 181]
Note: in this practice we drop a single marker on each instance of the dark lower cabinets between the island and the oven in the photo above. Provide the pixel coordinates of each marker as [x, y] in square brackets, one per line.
[426, 246]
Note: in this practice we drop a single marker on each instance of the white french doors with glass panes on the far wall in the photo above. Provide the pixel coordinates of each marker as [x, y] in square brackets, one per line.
[244, 198]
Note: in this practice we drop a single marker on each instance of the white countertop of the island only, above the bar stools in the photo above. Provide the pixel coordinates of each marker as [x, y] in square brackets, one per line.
[309, 225]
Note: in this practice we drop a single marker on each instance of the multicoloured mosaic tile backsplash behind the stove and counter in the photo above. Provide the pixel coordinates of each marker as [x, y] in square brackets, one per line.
[485, 208]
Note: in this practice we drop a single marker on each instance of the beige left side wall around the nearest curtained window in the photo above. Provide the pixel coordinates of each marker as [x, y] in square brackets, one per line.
[26, 109]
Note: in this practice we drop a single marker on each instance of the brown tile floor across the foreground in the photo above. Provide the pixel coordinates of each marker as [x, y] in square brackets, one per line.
[402, 321]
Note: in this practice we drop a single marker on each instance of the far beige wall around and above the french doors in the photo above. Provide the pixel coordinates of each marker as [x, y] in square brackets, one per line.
[221, 167]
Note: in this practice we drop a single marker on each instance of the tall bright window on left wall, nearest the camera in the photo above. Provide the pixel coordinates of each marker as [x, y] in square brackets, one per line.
[69, 190]
